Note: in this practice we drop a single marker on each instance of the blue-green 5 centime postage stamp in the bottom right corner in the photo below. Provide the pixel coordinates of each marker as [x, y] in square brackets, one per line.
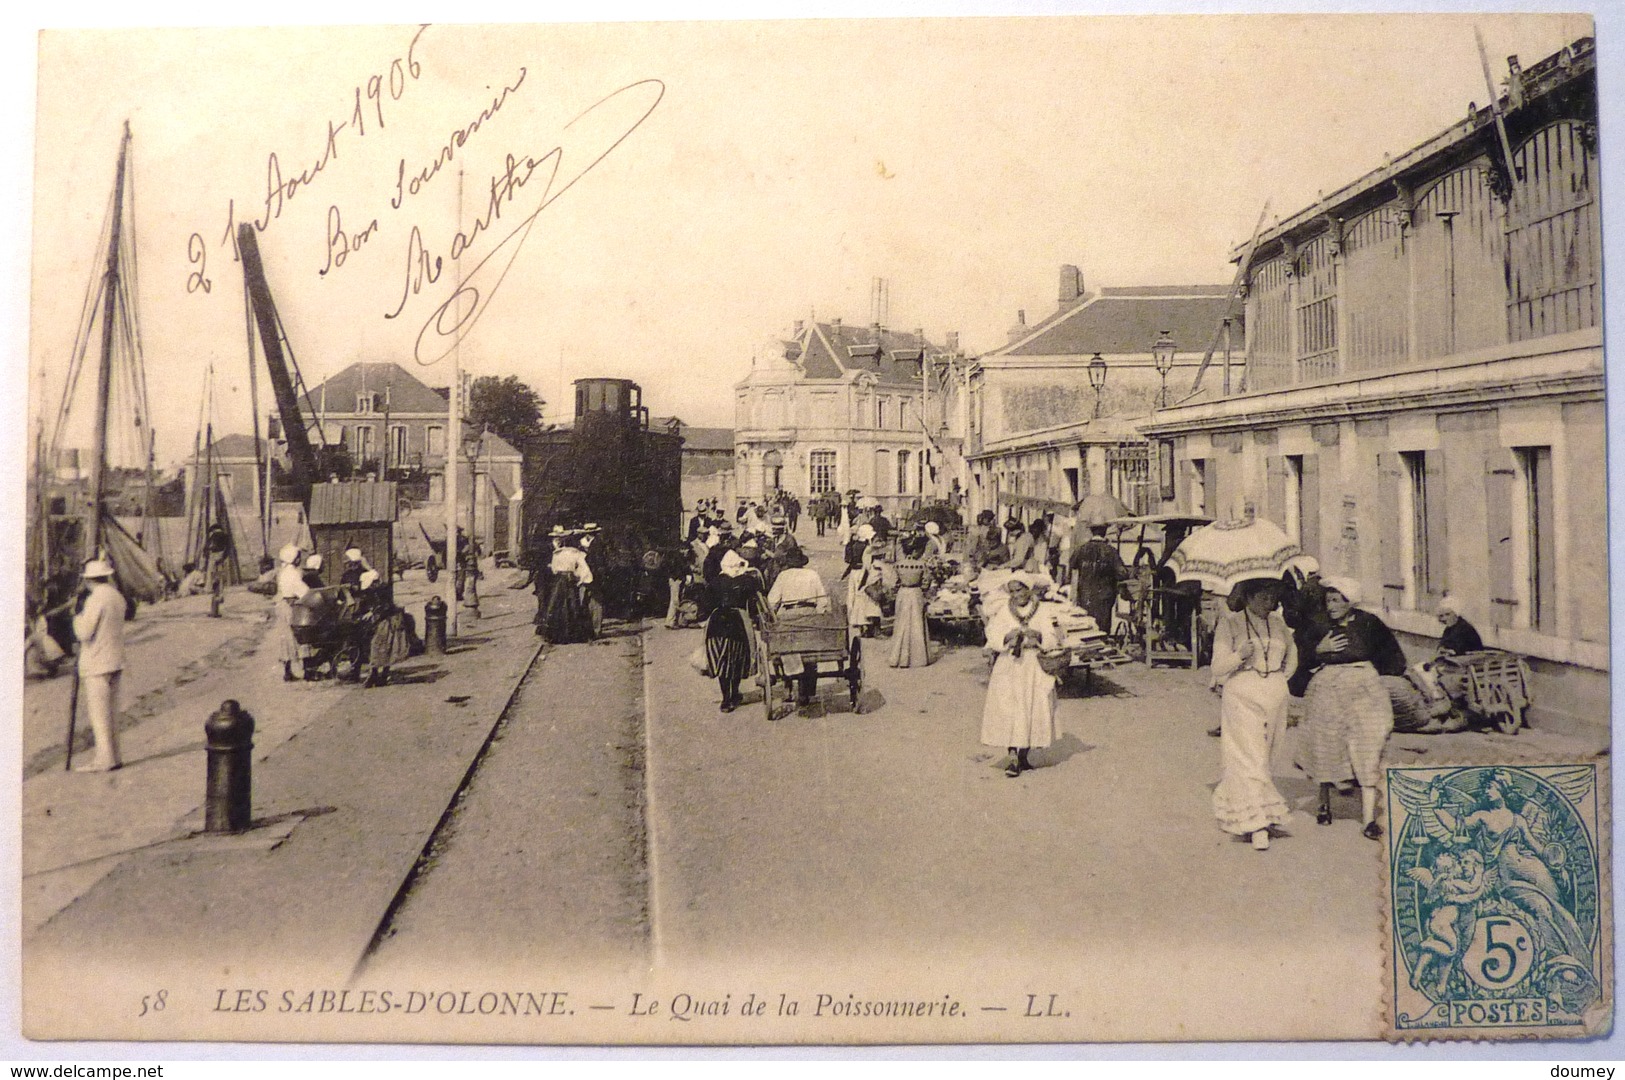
[1499, 902]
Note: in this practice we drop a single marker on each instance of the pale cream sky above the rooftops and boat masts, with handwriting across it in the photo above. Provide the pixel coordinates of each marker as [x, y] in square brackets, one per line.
[713, 181]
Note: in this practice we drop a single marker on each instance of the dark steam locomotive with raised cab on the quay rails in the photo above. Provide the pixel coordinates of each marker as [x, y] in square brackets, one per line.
[610, 470]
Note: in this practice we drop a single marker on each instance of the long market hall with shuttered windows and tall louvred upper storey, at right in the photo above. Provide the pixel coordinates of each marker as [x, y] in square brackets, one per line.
[1424, 386]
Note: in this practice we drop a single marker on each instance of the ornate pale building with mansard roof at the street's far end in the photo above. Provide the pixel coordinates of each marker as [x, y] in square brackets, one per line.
[836, 408]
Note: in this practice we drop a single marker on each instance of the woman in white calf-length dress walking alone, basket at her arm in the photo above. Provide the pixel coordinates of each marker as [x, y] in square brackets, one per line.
[1020, 714]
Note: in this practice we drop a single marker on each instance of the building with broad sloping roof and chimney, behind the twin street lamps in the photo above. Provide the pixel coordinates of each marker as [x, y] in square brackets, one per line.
[1039, 434]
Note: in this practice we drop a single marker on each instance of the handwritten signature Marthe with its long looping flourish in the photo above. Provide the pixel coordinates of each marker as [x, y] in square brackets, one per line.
[591, 137]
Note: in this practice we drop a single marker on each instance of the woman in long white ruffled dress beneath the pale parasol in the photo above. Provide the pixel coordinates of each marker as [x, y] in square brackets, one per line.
[1254, 659]
